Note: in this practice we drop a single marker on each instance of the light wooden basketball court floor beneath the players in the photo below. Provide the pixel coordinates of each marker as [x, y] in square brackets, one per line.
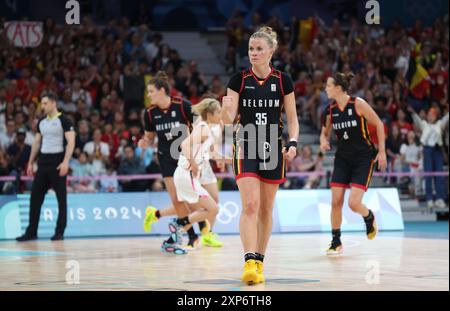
[295, 262]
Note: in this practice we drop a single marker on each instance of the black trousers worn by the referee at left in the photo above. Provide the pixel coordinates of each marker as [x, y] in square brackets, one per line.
[48, 177]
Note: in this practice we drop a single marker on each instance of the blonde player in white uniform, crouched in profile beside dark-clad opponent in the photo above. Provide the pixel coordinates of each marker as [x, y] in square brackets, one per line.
[195, 155]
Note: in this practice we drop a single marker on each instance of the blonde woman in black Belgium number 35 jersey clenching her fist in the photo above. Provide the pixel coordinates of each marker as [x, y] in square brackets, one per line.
[257, 97]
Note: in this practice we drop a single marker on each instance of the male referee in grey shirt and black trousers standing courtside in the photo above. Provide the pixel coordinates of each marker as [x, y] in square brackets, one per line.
[54, 141]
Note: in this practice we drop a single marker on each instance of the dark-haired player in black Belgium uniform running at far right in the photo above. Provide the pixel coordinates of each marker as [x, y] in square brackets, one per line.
[355, 155]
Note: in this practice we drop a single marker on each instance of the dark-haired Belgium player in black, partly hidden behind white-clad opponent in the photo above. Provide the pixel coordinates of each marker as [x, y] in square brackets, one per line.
[166, 113]
